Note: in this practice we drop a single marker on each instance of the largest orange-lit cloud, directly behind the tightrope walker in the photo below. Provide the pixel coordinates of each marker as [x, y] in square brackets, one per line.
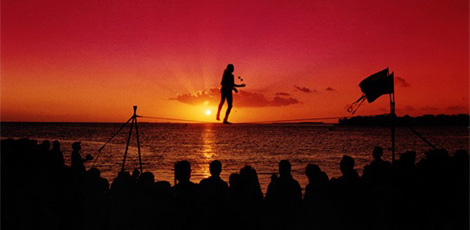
[240, 99]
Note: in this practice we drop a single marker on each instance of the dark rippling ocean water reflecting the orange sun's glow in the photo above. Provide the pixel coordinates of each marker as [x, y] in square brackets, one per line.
[260, 145]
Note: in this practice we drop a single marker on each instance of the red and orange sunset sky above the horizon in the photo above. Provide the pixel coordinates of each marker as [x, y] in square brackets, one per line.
[92, 60]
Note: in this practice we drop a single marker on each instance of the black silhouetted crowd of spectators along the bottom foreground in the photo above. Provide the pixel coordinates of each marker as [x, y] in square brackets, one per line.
[40, 192]
